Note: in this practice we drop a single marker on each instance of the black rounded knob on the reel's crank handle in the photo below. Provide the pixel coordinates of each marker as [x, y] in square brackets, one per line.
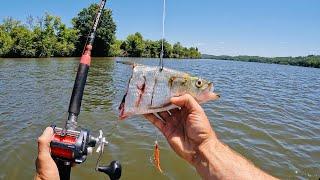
[113, 170]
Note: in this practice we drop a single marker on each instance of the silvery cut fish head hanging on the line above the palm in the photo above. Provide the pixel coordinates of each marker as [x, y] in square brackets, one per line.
[150, 89]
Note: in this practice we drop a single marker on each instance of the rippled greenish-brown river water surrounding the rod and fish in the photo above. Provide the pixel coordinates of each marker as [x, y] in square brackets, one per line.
[268, 113]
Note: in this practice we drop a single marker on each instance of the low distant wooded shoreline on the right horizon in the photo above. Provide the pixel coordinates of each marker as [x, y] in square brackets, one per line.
[306, 61]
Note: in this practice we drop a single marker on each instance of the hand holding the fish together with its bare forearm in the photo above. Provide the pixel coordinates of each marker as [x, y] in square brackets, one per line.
[190, 135]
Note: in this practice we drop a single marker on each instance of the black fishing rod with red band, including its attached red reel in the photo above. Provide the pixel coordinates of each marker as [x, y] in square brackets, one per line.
[69, 145]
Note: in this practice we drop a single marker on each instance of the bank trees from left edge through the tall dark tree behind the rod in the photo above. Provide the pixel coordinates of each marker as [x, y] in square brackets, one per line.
[47, 36]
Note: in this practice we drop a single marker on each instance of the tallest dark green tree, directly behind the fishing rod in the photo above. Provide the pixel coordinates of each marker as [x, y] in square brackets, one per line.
[105, 36]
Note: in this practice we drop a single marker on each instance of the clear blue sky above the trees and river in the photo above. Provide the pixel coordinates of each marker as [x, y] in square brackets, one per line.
[219, 27]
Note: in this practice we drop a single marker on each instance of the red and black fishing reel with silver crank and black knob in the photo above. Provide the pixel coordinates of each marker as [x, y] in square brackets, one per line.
[72, 147]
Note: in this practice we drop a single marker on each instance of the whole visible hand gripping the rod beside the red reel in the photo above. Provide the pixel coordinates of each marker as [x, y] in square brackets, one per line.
[45, 165]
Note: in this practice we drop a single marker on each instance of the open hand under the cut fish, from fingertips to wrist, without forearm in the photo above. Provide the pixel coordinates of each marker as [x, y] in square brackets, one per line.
[186, 129]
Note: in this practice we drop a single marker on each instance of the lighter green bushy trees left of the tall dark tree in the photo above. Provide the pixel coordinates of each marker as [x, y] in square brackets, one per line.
[47, 37]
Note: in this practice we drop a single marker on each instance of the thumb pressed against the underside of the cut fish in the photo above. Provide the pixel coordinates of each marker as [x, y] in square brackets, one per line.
[186, 101]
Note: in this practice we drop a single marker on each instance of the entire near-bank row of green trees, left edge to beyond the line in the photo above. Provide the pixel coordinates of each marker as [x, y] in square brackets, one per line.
[47, 36]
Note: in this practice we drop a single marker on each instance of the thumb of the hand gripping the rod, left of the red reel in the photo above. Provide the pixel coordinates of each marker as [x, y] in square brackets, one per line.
[44, 141]
